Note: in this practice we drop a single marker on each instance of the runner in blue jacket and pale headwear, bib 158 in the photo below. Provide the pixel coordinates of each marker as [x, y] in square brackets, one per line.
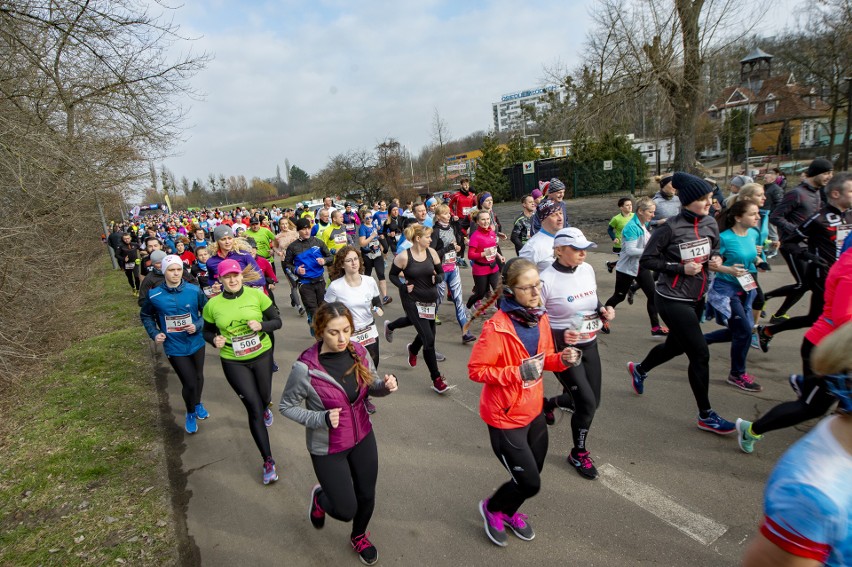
[172, 316]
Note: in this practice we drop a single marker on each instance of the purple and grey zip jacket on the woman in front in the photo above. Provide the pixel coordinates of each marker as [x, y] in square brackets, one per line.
[310, 383]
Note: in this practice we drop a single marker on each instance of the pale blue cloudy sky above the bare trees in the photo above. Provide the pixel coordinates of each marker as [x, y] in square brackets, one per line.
[306, 80]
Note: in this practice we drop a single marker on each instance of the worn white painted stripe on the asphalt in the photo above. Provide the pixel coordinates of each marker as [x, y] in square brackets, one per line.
[696, 526]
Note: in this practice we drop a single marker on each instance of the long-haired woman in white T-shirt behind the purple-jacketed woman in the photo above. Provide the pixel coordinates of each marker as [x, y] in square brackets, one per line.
[360, 294]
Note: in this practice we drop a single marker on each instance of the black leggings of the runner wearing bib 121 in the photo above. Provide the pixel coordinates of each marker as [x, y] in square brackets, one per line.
[685, 336]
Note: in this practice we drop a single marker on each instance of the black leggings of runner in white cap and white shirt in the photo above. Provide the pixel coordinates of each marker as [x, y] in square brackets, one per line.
[584, 383]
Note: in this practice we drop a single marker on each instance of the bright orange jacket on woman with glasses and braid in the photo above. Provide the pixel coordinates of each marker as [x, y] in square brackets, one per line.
[507, 402]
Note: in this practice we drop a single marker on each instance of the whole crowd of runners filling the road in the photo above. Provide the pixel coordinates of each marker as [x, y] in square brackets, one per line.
[208, 277]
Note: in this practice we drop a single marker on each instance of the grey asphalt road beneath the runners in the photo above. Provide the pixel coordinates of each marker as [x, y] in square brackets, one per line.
[669, 493]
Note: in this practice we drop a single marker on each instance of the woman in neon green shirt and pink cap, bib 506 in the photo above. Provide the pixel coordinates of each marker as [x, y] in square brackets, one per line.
[238, 322]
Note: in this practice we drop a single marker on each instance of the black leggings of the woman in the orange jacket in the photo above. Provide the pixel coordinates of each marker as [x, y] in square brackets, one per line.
[522, 451]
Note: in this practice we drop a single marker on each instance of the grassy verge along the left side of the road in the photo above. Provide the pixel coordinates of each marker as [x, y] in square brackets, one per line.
[83, 477]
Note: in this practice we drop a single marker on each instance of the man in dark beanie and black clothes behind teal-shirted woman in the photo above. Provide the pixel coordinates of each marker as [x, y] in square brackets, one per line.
[798, 205]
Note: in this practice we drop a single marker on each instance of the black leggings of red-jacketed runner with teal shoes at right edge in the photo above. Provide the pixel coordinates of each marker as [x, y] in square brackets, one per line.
[815, 400]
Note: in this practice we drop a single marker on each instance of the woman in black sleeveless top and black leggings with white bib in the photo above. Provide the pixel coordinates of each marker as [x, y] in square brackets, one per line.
[418, 294]
